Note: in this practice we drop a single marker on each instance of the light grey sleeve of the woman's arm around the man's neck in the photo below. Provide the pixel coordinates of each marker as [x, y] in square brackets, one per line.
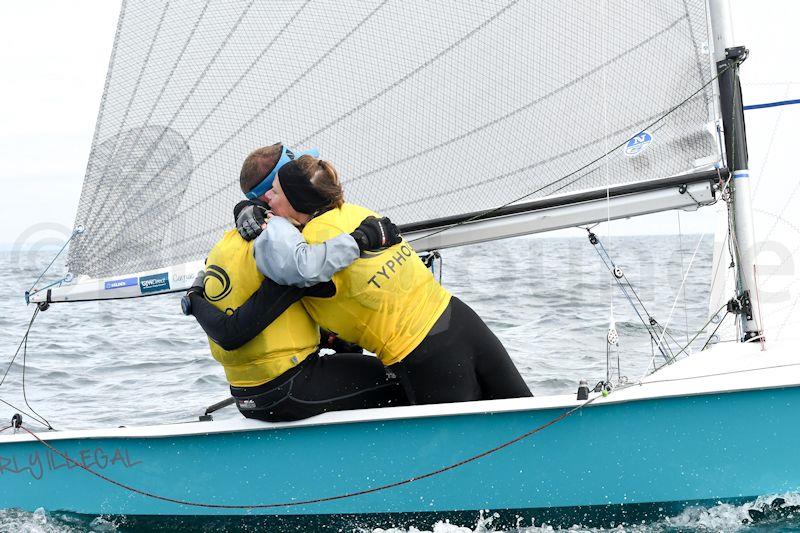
[283, 255]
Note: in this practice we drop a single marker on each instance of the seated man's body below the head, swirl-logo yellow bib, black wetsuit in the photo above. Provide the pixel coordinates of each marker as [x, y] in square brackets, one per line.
[275, 372]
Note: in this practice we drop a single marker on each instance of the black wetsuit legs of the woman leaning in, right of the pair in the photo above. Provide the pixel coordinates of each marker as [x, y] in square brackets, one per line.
[460, 361]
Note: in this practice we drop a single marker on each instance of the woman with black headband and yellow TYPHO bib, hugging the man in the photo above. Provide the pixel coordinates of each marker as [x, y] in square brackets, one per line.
[387, 302]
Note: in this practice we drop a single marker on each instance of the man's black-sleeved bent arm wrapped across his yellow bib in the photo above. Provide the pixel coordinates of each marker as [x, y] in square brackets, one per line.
[249, 319]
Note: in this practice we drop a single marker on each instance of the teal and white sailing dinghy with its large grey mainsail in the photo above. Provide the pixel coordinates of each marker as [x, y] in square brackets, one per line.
[464, 123]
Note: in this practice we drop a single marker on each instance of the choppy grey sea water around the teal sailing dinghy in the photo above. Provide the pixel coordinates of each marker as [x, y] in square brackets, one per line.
[551, 302]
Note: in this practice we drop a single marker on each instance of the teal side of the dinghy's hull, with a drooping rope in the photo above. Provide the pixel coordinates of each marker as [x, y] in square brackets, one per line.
[645, 455]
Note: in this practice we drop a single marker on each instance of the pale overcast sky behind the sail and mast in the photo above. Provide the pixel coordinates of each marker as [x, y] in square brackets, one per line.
[53, 60]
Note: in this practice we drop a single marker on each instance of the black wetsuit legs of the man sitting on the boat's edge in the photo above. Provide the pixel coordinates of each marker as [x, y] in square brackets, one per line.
[319, 384]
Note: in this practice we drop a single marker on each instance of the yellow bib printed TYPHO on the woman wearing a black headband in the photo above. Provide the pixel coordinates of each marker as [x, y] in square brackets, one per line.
[386, 302]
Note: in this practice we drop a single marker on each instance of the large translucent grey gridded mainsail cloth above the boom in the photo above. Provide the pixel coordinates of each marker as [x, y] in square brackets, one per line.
[427, 110]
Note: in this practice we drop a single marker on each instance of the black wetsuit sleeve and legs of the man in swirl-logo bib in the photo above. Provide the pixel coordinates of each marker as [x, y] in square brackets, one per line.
[318, 384]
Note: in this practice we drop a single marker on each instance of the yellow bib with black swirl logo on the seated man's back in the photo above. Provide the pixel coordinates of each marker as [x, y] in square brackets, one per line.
[231, 277]
